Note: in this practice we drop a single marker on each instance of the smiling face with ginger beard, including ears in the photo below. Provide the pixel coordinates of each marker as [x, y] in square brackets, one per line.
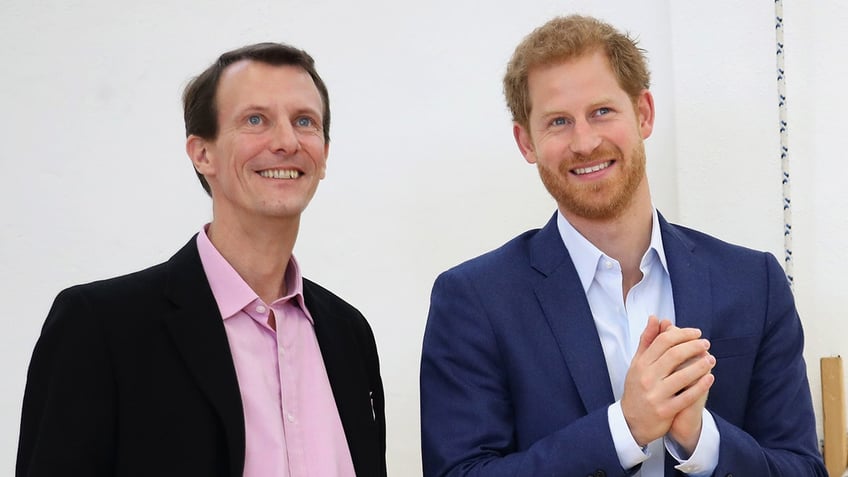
[585, 134]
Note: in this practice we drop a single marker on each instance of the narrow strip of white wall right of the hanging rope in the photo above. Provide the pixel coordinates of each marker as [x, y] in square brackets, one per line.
[816, 72]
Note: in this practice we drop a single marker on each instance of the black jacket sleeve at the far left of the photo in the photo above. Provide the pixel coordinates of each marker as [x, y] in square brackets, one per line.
[68, 416]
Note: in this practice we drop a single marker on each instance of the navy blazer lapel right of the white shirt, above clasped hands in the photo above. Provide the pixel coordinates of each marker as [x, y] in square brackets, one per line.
[690, 280]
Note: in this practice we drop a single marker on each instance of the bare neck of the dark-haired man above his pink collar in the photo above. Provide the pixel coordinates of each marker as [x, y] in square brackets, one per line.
[259, 252]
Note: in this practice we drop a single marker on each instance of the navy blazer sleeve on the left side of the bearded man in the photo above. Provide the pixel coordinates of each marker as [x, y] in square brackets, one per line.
[468, 421]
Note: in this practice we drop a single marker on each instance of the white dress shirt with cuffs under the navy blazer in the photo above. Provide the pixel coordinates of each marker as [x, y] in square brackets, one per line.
[620, 323]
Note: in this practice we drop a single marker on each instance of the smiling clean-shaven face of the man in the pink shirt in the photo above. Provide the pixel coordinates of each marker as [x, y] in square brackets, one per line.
[270, 152]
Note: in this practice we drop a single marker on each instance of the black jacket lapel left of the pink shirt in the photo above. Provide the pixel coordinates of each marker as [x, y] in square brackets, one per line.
[198, 331]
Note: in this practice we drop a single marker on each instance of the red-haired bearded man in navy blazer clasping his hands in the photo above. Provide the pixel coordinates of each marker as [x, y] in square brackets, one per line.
[547, 357]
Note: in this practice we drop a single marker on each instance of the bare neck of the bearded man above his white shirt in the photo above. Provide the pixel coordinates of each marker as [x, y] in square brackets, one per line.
[625, 237]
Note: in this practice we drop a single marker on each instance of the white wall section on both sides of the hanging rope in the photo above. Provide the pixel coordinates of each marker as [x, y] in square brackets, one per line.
[728, 145]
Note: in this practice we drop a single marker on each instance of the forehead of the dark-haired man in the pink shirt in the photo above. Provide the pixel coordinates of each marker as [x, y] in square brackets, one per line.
[249, 82]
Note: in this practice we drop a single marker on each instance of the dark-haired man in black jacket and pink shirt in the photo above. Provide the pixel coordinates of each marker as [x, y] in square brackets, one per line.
[224, 360]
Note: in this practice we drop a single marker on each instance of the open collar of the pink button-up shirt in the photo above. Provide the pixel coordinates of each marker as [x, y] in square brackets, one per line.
[231, 292]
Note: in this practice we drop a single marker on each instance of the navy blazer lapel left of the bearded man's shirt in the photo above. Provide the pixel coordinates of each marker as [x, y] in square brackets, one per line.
[567, 311]
